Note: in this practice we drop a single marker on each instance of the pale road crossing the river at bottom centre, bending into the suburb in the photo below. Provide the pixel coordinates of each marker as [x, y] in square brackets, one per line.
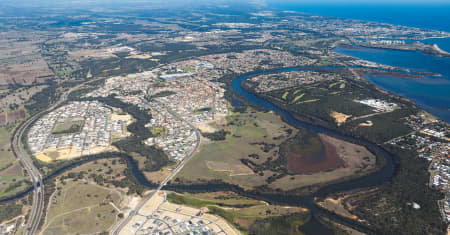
[117, 230]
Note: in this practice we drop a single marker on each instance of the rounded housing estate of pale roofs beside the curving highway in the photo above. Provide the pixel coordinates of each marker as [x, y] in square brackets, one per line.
[82, 127]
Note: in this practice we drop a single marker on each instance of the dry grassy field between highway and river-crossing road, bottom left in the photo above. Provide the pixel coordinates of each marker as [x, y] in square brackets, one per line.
[79, 207]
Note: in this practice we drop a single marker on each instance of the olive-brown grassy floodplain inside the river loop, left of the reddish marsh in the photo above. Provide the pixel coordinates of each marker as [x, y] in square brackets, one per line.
[222, 159]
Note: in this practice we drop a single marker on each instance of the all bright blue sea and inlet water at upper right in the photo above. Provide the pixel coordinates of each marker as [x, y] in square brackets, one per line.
[433, 93]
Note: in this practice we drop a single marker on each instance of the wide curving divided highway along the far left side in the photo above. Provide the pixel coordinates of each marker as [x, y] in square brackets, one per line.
[27, 162]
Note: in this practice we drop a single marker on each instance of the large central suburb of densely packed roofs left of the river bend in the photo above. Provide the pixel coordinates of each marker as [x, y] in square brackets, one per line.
[178, 96]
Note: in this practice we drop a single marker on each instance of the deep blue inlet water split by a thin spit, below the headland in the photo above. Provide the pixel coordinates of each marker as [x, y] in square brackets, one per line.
[432, 94]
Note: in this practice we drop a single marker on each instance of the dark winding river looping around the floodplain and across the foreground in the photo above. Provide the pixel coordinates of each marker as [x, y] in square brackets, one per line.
[313, 226]
